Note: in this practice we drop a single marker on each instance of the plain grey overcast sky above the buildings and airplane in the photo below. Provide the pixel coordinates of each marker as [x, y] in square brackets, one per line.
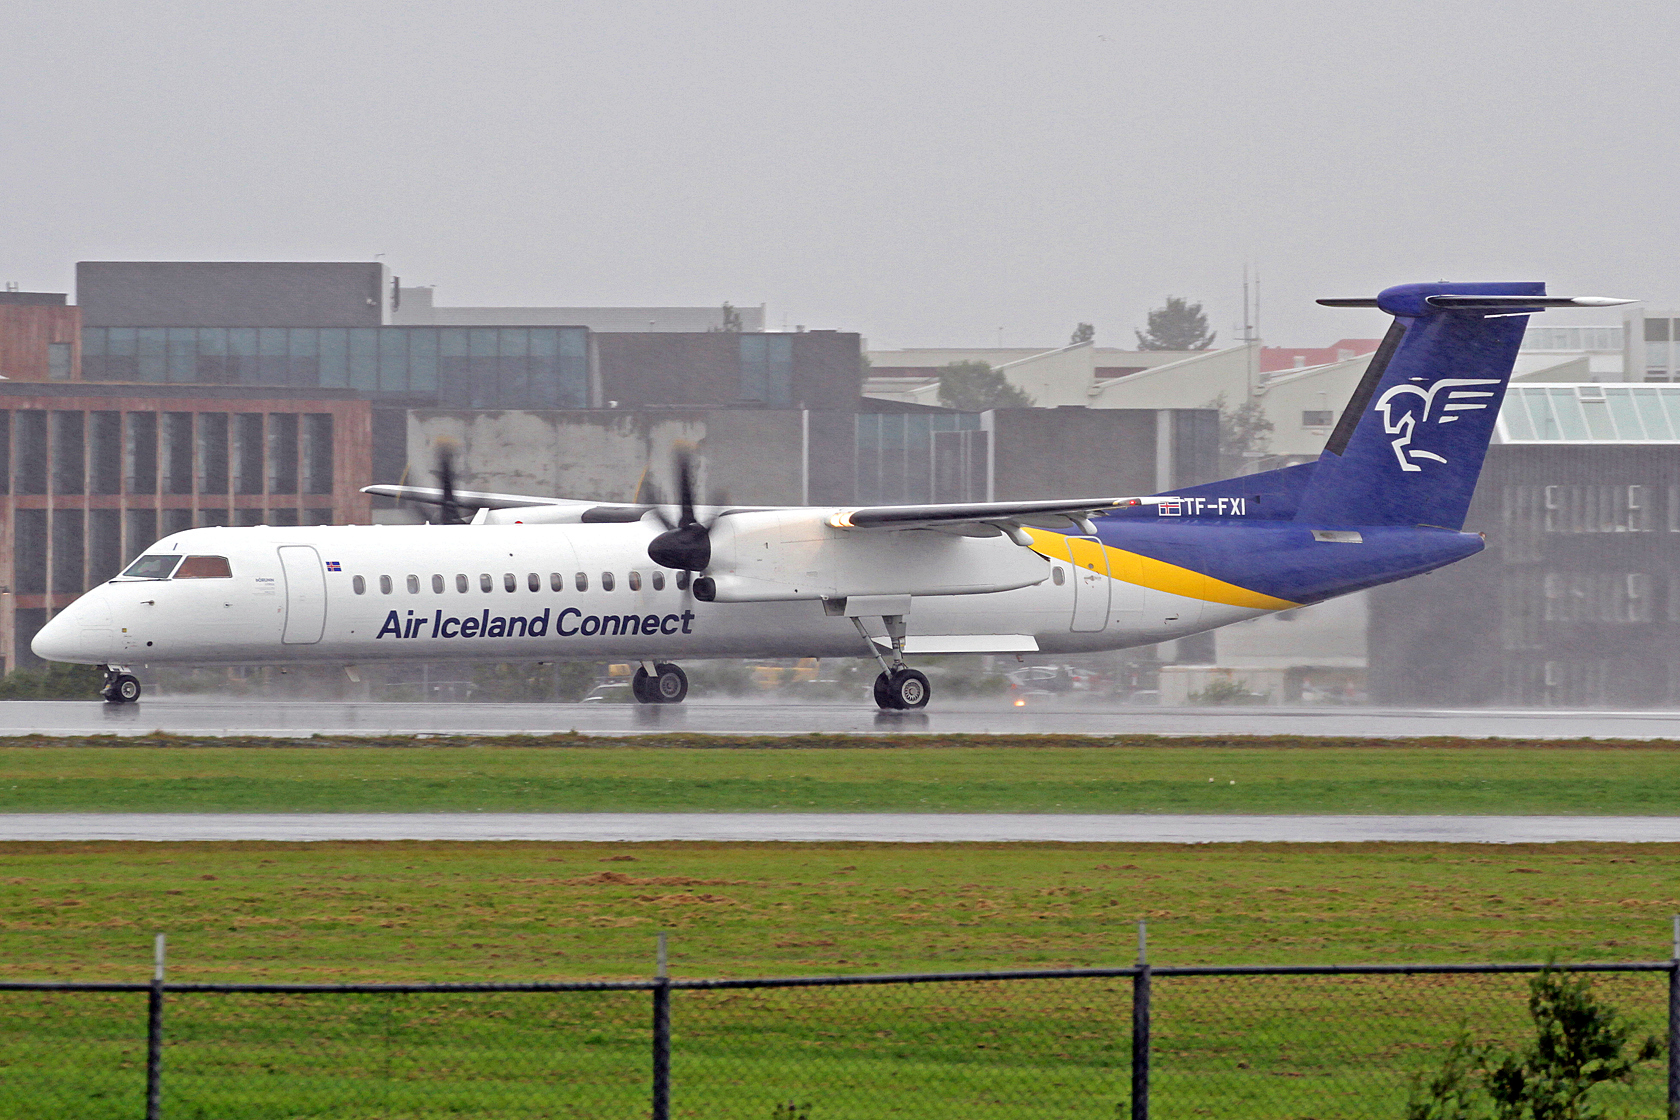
[920, 172]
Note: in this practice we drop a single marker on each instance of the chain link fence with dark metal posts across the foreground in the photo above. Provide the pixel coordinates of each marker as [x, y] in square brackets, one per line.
[1273, 1042]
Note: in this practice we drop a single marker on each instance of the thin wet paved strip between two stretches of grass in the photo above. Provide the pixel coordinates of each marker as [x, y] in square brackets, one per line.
[834, 827]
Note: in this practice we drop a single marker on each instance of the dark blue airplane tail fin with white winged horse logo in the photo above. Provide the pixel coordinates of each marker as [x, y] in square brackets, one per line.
[1410, 446]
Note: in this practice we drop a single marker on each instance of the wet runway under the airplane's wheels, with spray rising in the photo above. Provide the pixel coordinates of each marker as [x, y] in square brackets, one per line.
[194, 716]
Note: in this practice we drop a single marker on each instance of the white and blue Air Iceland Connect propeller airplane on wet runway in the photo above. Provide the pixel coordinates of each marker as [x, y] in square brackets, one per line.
[547, 578]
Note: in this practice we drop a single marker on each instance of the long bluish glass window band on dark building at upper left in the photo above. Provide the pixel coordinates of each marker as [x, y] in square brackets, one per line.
[453, 367]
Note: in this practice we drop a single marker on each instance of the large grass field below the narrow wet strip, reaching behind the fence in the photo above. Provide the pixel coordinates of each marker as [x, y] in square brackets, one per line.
[1336, 1047]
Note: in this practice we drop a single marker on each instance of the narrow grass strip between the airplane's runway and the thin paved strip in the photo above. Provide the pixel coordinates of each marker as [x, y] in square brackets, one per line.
[812, 773]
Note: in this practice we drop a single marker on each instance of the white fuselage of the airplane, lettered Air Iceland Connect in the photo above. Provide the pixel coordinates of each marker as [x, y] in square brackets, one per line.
[443, 594]
